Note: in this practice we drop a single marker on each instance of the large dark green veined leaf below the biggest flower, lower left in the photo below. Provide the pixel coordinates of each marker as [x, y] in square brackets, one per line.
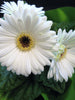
[13, 87]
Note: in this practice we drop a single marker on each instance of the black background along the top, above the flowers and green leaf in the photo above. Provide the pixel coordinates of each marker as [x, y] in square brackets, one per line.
[48, 4]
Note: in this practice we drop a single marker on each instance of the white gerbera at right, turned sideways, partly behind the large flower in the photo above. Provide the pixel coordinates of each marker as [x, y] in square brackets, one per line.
[63, 65]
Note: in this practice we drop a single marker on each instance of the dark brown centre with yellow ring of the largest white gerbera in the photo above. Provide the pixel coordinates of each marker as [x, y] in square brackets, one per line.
[25, 42]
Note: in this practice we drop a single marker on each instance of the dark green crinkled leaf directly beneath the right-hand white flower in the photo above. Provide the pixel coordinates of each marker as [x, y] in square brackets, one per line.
[51, 83]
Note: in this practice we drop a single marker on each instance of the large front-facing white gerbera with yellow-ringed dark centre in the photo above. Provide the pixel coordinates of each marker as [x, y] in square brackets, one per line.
[25, 41]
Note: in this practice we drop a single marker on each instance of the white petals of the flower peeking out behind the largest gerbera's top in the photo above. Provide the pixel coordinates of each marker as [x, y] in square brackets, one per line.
[11, 7]
